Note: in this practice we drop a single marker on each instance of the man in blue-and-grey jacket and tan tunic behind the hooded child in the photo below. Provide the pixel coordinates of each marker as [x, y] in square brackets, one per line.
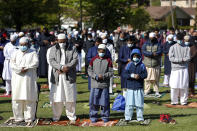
[152, 58]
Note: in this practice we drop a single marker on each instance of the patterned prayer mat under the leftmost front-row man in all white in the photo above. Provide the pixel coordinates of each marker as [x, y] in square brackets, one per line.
[11, 123]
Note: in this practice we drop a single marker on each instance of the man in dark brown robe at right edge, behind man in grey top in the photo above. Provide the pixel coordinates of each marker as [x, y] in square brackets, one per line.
[192, 63]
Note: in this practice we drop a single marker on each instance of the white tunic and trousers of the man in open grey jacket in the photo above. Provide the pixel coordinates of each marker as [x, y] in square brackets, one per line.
[63, 93]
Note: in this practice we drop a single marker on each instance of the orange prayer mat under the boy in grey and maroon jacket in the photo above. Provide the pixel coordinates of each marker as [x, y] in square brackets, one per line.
[99, 123]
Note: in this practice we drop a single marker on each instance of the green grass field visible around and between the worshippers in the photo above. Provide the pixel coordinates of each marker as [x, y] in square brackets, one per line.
[186, 118]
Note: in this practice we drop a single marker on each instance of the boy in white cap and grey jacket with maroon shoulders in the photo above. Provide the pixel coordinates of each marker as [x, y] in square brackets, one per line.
[100, 70]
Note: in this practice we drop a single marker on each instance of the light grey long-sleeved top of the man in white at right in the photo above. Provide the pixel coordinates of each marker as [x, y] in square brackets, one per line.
[179, 56]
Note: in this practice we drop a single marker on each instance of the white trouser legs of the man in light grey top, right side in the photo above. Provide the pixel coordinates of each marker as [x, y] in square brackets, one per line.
[177, 92]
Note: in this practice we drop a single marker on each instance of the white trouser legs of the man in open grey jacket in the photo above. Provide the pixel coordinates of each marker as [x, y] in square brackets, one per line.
[57, 108]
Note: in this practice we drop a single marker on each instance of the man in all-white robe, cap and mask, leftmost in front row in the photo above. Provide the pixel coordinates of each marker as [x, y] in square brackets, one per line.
[24, 63]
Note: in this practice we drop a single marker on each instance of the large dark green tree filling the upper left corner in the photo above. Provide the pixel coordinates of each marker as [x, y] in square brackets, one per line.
[18, 13]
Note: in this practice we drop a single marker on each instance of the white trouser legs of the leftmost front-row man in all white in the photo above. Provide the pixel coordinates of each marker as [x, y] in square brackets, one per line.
[27, 107]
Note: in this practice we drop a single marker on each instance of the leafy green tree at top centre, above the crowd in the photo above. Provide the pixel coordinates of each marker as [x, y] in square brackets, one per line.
[107, 14]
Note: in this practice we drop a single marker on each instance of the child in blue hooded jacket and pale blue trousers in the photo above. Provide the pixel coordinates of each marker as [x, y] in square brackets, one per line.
[135, 73]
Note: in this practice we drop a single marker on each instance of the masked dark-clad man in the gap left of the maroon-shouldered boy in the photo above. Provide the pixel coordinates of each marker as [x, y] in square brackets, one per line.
[86, 46]
